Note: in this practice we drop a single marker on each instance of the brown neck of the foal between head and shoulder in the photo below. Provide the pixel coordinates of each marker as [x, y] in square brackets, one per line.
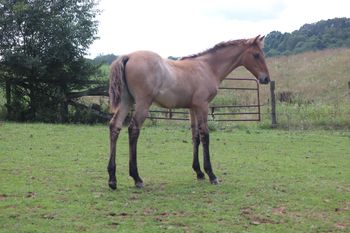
[223, 61]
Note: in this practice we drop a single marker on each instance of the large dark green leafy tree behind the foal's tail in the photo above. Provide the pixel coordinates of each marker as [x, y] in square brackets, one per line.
[42, 45]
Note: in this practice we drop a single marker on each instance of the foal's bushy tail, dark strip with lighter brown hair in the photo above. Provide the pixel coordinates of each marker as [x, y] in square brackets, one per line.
[117, 82]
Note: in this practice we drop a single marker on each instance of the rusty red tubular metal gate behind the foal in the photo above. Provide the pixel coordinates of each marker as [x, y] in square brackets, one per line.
[232, 112]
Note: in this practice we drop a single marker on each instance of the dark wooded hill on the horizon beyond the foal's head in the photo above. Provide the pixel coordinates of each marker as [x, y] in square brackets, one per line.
[332, 33]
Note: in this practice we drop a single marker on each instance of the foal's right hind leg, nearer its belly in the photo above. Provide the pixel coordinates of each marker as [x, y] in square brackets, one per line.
[141, 112]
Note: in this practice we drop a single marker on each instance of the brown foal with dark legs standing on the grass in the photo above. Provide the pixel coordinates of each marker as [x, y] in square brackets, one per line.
[142, 78]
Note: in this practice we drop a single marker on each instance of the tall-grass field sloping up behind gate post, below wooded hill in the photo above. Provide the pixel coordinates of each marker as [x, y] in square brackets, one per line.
[317, 83]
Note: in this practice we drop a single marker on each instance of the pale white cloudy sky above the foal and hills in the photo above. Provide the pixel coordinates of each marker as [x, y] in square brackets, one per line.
[183, 27]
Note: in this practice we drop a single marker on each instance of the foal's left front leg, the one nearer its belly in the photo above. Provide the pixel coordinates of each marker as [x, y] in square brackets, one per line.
[196, 141]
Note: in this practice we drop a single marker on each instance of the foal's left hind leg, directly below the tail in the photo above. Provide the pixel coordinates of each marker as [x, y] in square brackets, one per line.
[115, 126]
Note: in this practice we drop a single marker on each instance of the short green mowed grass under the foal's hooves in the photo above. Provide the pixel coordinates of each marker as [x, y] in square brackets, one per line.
[53, 178]
